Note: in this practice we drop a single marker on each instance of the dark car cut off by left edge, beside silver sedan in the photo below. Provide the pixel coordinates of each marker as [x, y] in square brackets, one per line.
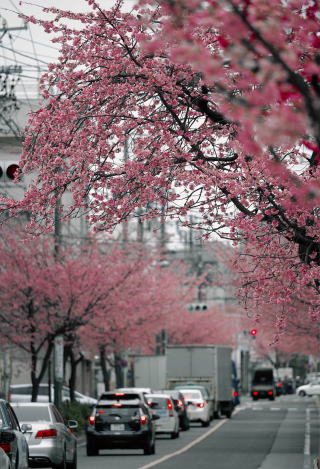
[12, 437]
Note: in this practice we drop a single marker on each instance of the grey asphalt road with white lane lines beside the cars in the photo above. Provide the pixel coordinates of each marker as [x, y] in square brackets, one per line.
[281, 434]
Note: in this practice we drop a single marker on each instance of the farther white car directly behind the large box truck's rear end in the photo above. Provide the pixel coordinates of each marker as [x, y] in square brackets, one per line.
[199, 409]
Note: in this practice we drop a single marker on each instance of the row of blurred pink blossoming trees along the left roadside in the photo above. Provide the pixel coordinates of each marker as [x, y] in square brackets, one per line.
[104, 298]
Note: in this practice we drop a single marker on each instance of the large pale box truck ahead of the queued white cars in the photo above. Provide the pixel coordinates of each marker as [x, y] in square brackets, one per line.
[206, 365]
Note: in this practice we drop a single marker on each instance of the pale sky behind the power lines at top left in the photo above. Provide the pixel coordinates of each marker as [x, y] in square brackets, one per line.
[31, 48]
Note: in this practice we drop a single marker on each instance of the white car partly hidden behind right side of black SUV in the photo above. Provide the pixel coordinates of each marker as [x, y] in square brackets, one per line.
[162, 405]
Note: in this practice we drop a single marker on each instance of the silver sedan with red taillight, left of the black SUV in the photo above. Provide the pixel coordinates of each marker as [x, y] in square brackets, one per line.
[51, 442]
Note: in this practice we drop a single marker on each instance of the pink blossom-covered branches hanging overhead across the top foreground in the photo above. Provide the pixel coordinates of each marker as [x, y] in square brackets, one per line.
[219, 102]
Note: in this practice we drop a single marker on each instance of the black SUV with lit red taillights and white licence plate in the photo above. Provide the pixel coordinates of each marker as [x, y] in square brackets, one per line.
[121, 420]
